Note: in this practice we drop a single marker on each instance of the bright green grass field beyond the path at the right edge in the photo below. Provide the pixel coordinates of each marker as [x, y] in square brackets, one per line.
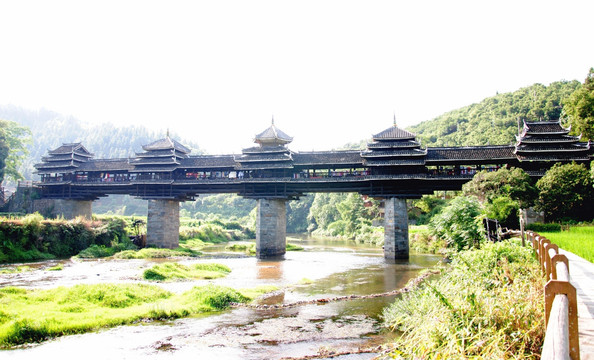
[578, 240]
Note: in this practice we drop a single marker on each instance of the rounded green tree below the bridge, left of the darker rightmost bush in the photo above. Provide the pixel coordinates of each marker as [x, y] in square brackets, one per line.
[513, 183]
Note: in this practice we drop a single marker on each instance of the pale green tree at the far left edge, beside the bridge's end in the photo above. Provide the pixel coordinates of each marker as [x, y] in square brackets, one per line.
[13, 150]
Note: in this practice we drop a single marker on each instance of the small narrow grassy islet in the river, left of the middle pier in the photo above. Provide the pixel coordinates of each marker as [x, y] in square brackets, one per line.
[175, 271]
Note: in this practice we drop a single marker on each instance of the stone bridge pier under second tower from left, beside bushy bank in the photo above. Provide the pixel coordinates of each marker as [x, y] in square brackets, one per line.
[162, 226]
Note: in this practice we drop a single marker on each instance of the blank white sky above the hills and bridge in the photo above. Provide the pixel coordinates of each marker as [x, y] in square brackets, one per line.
[330, 72]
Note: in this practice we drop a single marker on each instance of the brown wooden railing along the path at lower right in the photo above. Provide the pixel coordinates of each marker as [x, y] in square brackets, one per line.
[562, 336]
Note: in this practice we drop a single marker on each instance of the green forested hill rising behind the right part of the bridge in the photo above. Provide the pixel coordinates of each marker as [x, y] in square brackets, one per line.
[494, 121]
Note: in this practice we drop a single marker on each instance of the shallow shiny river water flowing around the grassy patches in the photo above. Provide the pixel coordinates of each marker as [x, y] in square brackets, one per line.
[323, 270]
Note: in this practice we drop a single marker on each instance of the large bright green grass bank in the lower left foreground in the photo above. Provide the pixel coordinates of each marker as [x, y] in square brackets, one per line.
[36, 315]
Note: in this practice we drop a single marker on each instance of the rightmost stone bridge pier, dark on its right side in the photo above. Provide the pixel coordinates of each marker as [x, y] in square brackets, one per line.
[395, 229]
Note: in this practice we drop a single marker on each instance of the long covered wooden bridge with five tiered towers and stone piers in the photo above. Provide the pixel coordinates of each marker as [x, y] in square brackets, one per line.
[394, 166]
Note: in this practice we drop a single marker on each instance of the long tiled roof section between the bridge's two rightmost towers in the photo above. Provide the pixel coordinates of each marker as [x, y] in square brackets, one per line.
[474, 153]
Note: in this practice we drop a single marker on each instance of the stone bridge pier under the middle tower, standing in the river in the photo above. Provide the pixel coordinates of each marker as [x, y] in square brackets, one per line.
[271, 228]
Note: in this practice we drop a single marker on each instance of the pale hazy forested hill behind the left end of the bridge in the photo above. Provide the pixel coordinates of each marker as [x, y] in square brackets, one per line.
[50, 129]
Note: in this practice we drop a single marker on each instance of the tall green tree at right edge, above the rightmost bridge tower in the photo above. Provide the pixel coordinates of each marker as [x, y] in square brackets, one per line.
[579, 108]
